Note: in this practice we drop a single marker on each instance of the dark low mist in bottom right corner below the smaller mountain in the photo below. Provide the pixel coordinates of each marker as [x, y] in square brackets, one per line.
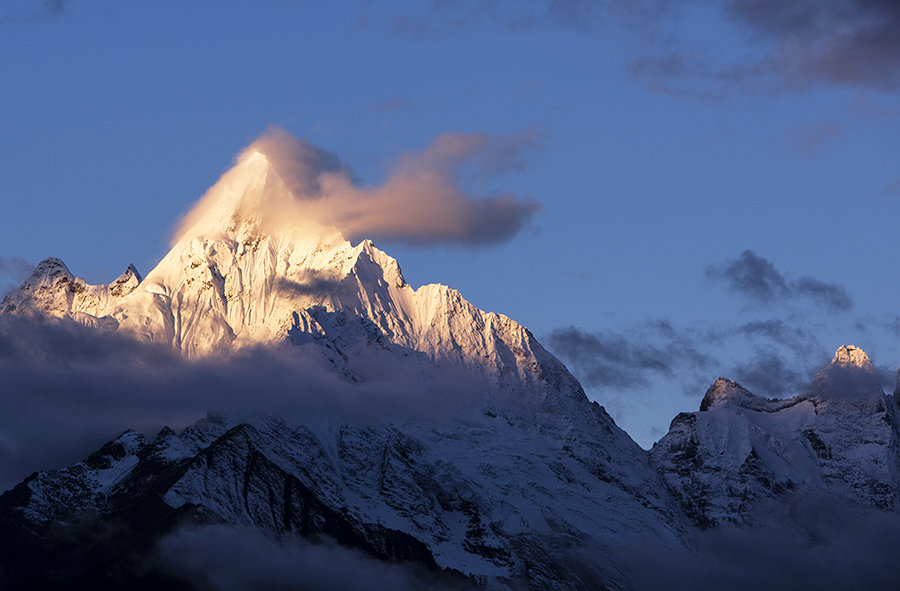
[824, 544]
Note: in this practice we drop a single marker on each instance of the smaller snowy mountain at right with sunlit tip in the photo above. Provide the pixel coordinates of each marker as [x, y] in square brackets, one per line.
[741, 453]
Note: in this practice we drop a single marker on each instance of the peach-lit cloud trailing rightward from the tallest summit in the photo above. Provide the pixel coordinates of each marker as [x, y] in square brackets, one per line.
[421, 201]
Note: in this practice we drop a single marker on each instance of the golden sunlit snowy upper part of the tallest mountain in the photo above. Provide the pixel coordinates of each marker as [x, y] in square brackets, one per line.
[251, 265]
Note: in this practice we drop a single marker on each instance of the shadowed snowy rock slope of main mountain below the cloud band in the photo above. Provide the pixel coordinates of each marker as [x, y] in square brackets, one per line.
[493, 502]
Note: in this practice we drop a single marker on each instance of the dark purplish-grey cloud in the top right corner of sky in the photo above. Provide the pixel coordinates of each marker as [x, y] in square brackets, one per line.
[774, 45]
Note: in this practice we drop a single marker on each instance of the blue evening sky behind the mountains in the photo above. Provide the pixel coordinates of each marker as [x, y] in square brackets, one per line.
[718, 184]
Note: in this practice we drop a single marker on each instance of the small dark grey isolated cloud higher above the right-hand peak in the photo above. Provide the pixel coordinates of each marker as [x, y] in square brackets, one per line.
[757, 279]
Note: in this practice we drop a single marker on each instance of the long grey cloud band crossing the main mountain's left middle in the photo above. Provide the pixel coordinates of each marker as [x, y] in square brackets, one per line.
[67, 389]
